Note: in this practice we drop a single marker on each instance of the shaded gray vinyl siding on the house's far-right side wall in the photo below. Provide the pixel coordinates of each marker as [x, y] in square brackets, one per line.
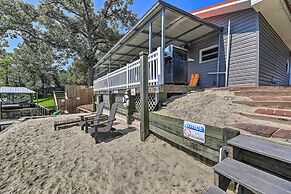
[273, 56]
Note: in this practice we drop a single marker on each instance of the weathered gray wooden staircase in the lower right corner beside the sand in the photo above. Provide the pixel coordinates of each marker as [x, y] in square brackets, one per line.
[255, 166]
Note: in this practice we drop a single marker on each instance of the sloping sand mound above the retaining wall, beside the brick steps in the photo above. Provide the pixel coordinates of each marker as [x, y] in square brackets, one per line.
[211, 107]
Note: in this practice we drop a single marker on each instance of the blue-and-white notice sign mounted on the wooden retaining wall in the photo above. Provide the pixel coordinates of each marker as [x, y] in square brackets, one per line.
[194, 131]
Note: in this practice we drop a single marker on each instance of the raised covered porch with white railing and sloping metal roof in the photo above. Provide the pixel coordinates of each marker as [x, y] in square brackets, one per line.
[163, 25]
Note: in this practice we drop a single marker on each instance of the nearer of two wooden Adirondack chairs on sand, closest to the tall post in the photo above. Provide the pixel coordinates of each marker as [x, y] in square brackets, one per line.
[102, 128]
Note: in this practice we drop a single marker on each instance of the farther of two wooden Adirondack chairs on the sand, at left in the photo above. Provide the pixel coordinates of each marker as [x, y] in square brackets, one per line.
[90, 119]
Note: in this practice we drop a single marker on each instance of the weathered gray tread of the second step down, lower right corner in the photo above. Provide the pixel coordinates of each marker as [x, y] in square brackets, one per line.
[251, 178]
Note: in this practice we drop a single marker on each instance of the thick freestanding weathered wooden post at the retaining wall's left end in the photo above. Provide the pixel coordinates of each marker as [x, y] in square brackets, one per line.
[144, 114]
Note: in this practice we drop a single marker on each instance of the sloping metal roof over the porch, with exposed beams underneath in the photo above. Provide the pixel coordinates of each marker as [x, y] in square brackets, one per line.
[180, 29]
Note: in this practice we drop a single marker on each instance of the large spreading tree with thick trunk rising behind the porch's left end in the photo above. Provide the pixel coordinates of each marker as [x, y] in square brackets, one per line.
[74, 27]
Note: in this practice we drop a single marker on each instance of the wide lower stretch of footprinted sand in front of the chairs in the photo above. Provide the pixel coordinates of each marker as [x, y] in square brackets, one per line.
[36, 159]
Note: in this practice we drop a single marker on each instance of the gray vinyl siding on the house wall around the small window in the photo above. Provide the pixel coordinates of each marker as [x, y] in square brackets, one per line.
[243, 52]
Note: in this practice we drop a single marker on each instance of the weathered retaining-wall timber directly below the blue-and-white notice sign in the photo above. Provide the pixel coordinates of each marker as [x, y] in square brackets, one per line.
[192, 146]
